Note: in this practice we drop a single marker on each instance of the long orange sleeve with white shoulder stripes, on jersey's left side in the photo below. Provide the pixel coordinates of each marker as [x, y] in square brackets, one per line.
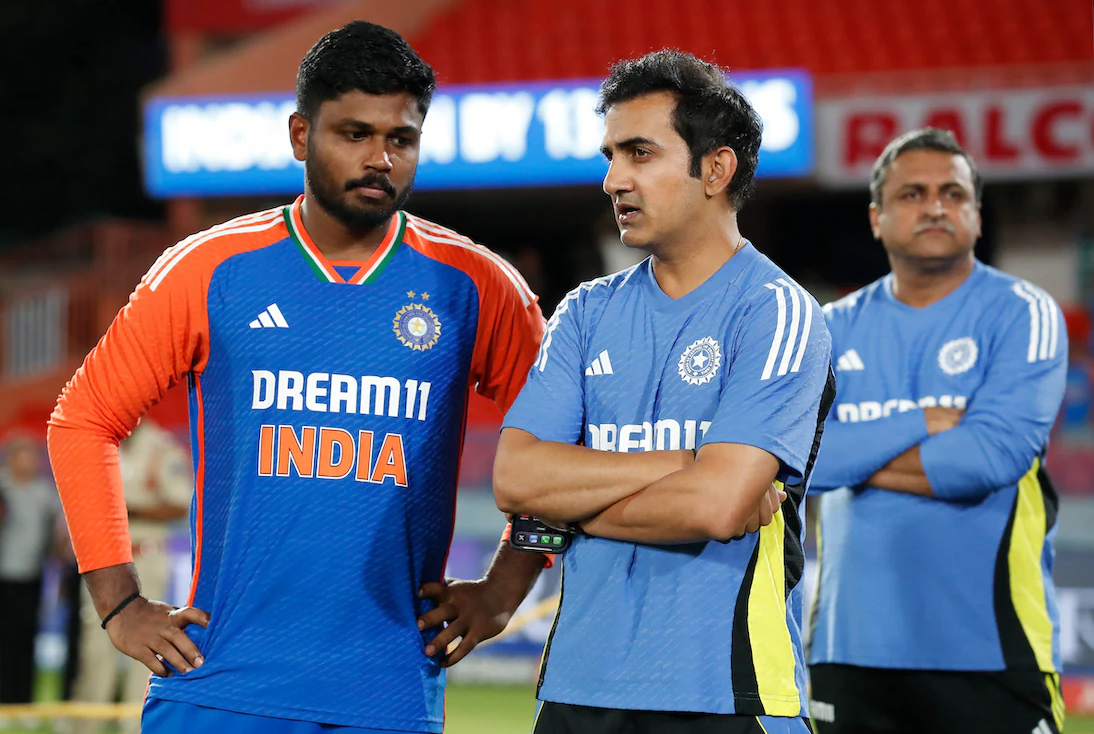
[159, 337]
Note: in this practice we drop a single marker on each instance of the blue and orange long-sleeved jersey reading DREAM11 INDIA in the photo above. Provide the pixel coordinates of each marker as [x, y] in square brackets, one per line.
[328, 406]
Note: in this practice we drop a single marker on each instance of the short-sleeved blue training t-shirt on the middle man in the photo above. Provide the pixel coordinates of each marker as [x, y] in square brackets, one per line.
[704, 627]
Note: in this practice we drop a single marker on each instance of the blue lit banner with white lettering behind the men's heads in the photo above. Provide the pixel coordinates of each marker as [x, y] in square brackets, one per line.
[494, 136]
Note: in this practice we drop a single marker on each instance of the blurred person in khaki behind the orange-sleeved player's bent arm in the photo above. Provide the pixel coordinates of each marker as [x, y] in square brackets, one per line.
[159, 483]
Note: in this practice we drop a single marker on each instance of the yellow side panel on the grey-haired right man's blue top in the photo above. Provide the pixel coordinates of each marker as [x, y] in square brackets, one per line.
[1028, 581]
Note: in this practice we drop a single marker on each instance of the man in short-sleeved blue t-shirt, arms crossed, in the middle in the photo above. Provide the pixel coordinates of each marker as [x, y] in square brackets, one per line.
[695, 382]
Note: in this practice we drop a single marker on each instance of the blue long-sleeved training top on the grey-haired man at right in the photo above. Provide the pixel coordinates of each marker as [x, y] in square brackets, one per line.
[962, 581]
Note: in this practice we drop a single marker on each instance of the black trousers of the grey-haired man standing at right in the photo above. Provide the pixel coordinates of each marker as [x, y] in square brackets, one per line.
[847, 700]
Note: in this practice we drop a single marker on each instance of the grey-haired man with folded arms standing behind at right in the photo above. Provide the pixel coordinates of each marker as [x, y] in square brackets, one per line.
[936, 609]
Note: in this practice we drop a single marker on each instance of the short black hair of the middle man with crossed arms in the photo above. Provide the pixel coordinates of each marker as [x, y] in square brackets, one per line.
[711, 113]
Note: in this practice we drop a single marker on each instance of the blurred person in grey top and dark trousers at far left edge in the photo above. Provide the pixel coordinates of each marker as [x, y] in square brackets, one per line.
[26, 542]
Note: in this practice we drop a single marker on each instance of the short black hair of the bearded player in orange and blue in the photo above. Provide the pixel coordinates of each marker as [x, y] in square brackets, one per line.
[365, 57]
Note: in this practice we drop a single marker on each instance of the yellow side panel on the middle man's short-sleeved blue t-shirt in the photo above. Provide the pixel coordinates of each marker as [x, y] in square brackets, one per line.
[772, 650]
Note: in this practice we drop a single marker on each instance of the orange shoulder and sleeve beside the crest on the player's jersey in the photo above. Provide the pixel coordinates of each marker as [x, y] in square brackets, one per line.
[510, 324]
